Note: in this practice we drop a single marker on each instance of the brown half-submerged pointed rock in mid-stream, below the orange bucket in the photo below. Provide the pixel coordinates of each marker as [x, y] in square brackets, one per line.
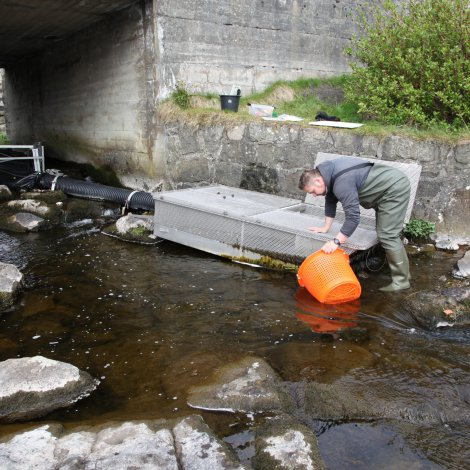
[249, 386]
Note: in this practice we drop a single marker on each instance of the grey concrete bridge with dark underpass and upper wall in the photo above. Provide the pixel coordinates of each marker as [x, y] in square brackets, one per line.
[86, 77]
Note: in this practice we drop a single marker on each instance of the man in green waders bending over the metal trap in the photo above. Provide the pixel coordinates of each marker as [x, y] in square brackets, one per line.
[354, 182]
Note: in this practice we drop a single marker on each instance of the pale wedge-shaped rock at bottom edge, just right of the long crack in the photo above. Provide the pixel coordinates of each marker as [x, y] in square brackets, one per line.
[199, 448]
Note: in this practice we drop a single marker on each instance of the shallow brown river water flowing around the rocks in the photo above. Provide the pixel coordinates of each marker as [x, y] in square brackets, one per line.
[151, 321]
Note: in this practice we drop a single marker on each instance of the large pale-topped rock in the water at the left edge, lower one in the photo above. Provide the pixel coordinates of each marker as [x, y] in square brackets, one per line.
[35, 386]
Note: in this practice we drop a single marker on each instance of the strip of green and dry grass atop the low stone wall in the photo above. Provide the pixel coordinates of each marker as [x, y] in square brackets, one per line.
[305, 98]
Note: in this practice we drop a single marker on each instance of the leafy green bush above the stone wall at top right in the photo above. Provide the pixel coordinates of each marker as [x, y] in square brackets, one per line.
[413, 62]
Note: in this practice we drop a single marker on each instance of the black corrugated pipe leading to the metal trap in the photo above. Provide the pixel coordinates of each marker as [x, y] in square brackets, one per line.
[137, 200]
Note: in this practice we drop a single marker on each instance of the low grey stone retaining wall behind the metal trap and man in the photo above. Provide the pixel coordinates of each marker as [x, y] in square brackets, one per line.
[270, 157]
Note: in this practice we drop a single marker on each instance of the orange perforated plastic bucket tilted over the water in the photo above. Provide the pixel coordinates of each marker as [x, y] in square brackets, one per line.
[329, 277]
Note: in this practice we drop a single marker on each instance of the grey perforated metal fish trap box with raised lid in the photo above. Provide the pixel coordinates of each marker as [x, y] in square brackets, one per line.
[249, 226]
